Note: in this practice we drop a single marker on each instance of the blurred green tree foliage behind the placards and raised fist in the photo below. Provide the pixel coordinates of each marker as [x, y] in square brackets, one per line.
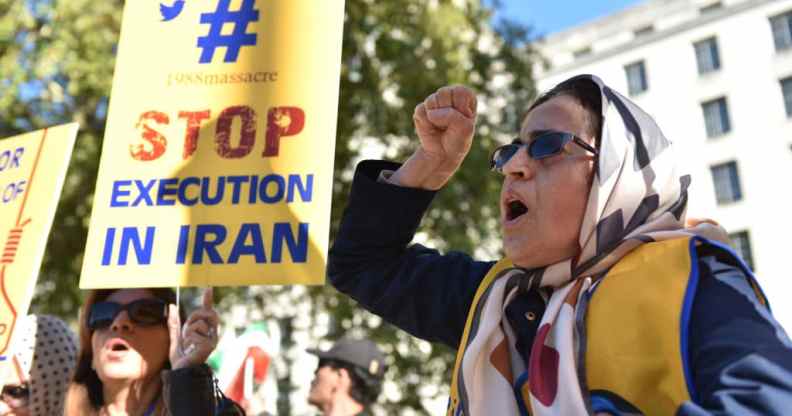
[56, 62]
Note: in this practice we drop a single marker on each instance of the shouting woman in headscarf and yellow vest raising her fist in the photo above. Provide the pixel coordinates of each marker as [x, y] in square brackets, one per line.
[604, 303]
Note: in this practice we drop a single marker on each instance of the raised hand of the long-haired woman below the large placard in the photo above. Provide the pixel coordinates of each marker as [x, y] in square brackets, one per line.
[191, 344]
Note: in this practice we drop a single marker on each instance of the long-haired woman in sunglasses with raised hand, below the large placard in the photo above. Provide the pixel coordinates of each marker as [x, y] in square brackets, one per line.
[137, 359]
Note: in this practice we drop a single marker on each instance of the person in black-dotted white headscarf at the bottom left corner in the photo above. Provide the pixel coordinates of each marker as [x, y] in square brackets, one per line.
[35, 376]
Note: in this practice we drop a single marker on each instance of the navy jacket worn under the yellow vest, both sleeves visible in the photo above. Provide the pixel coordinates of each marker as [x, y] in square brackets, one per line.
[741, 357]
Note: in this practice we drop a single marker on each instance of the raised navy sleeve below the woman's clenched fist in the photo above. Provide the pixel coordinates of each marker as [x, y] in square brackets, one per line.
[411, 286]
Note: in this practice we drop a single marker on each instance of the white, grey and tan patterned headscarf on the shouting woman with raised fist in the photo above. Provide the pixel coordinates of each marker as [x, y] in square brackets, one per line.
[637, 196]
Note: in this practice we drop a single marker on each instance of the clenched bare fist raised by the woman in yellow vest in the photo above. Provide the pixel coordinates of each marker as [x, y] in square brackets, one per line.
[445, 123]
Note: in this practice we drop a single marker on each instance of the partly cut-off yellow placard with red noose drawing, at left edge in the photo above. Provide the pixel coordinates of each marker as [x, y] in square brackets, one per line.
[32, 169]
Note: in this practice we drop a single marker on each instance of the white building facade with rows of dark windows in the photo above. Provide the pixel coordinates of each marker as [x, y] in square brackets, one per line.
[717, 77]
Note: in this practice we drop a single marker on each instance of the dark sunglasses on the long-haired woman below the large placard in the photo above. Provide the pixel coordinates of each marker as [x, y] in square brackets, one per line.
[145, 312]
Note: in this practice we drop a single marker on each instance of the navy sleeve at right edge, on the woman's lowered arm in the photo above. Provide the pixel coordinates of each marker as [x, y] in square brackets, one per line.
[740, 356]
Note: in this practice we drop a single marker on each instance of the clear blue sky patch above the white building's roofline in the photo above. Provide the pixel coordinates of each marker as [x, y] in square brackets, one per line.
[550, 16]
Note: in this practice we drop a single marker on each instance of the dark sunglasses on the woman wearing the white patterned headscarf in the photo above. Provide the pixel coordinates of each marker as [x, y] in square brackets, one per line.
[542, 146]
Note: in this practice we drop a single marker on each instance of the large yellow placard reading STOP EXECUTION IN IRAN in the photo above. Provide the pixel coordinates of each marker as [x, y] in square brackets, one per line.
[217, 162]
